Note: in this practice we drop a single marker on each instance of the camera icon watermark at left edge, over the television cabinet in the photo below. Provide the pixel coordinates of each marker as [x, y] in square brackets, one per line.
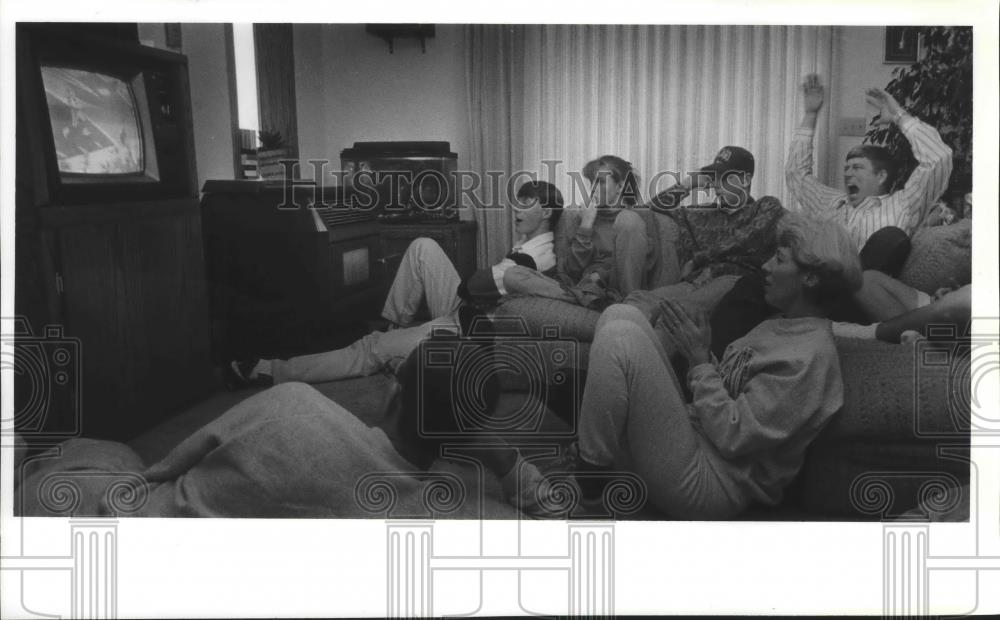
[46, 379]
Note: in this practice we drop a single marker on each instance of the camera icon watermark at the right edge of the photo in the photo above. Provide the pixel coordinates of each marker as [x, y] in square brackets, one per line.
[953, 370]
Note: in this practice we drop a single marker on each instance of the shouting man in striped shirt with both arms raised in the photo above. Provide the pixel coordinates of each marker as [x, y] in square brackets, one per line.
[867, 205]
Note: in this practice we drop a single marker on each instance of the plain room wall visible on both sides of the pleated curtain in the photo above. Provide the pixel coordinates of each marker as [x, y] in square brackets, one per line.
[351, 89]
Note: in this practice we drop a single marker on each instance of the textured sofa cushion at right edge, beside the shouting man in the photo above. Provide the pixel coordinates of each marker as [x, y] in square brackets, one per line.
[940, 256]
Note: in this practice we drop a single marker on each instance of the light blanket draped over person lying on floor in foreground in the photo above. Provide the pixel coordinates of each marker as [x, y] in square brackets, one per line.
[286, 452]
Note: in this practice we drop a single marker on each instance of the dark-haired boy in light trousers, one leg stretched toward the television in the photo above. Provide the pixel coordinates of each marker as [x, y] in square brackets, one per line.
[425, 274]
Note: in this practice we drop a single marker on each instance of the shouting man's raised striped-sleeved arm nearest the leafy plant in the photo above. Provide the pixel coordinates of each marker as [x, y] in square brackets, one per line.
[934, 159]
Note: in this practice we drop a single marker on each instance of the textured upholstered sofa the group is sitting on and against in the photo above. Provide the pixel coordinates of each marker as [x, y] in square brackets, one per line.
[899, 446]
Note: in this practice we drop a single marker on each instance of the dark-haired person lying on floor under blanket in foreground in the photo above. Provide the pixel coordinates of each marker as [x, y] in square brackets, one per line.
[290, 451]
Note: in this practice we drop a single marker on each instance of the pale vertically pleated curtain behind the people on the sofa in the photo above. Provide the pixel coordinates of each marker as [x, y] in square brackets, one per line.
[665, 98]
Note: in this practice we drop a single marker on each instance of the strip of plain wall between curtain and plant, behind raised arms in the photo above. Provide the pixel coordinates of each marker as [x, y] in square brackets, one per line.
[858, 68]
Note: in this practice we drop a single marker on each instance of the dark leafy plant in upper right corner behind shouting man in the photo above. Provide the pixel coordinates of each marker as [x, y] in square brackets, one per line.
[937, 89]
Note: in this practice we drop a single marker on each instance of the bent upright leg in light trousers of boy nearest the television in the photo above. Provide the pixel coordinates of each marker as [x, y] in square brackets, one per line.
[424, 272]
